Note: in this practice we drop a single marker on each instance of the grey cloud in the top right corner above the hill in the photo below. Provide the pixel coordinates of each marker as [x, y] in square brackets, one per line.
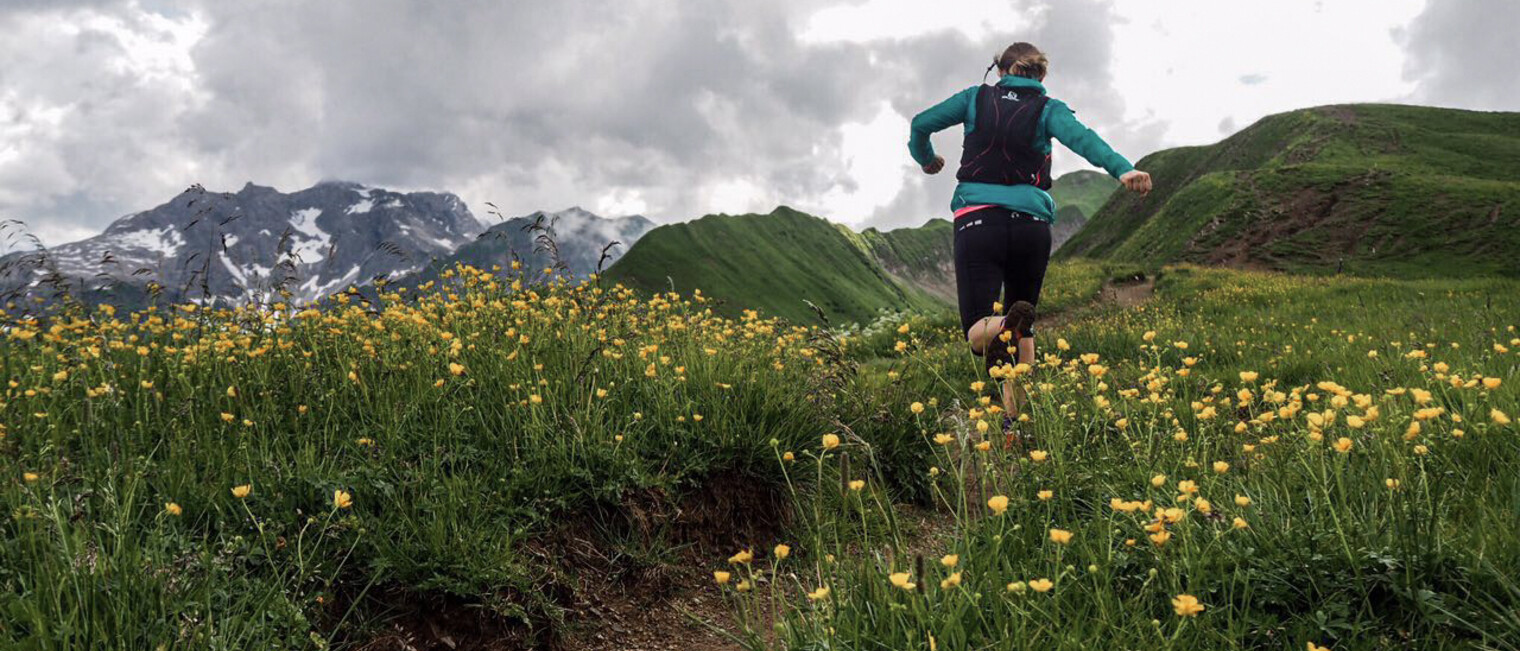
[1463, 54]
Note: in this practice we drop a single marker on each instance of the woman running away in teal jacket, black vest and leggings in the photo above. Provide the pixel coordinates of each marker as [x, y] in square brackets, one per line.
[1002, 211]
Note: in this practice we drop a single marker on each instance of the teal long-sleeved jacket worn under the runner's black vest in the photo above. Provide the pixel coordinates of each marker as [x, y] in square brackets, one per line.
[1057, 122]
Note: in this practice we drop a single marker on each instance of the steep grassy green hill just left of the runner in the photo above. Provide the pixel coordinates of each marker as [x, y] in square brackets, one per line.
[781, 261]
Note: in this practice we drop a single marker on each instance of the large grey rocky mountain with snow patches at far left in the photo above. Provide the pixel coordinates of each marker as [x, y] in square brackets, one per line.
[253, 244]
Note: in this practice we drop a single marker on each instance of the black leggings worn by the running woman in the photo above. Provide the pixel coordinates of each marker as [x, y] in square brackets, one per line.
[998, 250]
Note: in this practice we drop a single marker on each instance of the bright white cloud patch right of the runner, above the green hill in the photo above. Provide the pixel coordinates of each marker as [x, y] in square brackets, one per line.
[1199, 63]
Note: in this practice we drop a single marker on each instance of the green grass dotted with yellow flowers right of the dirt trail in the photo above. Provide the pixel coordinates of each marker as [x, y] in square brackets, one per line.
[1328, 553]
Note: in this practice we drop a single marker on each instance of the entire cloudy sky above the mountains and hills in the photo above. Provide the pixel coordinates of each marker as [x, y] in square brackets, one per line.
[657, 107]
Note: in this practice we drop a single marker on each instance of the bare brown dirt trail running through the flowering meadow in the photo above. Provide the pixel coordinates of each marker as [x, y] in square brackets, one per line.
[685, 617]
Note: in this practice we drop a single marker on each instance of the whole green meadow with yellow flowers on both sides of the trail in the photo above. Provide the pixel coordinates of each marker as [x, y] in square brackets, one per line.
[1244, 462]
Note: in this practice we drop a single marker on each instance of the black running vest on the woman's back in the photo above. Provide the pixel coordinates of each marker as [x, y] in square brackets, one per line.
[1001, 148]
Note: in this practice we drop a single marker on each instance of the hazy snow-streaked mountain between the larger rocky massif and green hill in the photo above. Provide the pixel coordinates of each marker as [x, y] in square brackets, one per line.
[578, 238]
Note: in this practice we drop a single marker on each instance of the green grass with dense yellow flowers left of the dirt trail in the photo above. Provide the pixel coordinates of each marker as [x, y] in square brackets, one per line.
[469, 428]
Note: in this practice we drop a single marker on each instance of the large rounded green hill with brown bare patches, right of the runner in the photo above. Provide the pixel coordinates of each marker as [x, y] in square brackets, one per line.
[1366, 189]
